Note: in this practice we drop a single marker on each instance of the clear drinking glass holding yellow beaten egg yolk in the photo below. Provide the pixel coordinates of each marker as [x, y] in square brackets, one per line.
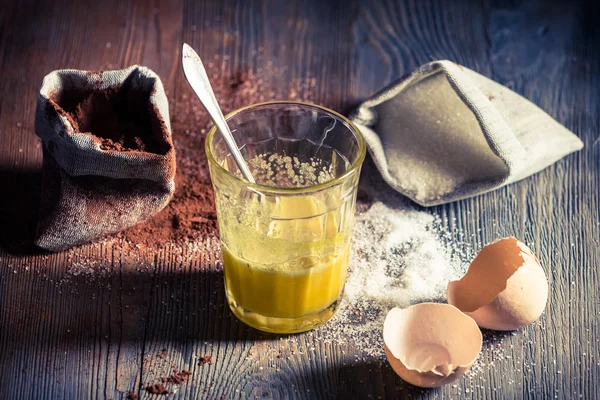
[286, 238]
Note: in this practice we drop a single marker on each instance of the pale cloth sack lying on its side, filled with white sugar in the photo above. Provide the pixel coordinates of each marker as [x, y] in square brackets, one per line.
[444, 133]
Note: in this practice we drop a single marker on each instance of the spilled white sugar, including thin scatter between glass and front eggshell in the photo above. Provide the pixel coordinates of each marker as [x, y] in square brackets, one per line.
[400, 256]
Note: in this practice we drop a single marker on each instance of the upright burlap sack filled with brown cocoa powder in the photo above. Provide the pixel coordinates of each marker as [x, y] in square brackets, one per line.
[109, 160]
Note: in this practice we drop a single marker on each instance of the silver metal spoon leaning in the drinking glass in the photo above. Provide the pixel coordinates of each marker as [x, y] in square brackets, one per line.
[196, 75]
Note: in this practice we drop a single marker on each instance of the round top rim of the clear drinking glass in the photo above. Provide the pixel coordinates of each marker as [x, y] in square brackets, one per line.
[356, 164]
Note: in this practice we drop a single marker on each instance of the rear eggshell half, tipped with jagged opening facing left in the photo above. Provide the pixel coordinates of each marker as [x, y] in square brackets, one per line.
[505, 287]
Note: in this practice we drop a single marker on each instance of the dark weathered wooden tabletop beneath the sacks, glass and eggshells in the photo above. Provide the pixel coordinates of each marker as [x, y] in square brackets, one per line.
[69, 338]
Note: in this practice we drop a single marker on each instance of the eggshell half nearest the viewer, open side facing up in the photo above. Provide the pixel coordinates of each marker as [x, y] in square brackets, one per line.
[430, 344]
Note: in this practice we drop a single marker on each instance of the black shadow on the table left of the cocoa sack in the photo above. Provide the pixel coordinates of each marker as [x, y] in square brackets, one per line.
[19, 204]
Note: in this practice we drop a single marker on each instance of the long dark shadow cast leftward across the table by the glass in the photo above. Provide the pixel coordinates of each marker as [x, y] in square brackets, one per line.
[176, 307]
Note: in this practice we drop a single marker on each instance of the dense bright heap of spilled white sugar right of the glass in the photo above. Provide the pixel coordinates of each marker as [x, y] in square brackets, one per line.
[398, 259]
